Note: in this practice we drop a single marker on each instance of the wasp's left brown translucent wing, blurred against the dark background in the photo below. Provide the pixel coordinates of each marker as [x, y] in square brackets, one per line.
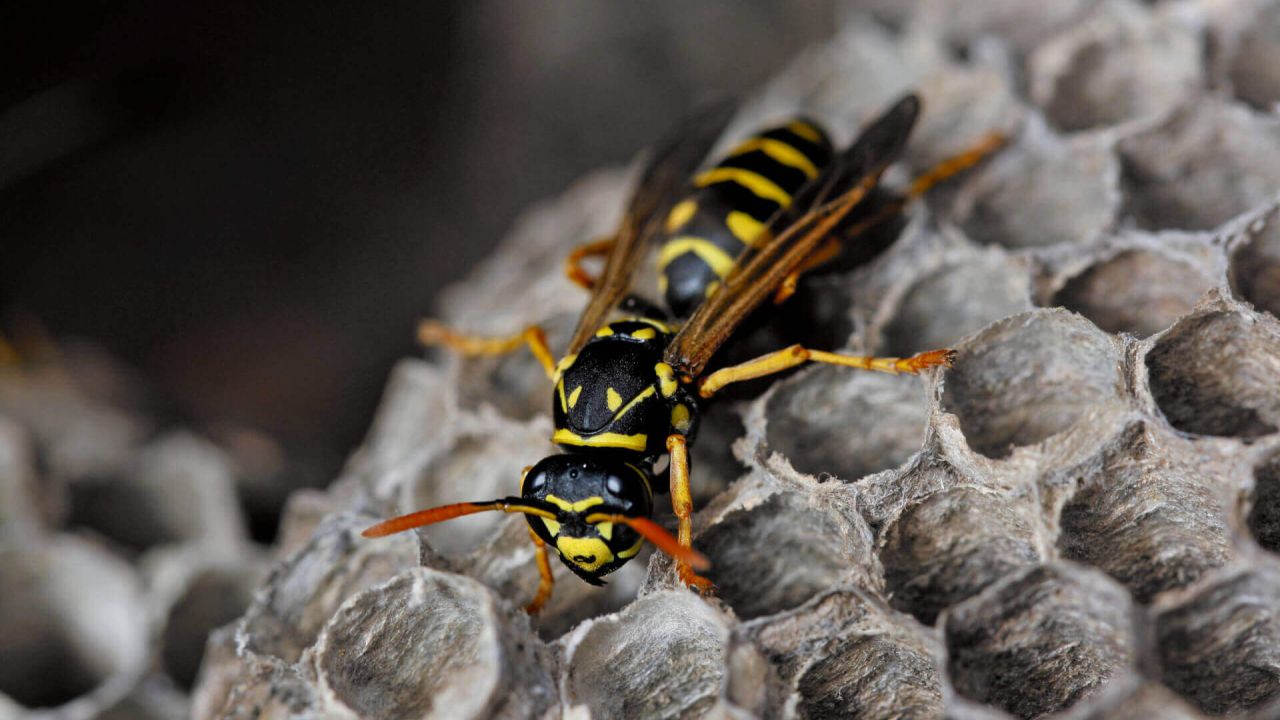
[670, 167]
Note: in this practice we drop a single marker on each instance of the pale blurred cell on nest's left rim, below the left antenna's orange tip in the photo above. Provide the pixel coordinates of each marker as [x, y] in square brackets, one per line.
[305, 590]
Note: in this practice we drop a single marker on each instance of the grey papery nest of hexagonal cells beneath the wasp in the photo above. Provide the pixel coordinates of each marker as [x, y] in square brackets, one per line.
[1081, 520]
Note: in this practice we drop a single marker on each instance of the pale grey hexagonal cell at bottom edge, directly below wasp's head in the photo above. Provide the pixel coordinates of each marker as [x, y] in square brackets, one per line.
[668, 655]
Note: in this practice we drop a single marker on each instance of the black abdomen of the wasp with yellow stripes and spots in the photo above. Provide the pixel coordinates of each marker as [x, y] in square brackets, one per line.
[729, 206]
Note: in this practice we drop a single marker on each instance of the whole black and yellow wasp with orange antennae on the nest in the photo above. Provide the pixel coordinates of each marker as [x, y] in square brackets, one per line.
[628, 391]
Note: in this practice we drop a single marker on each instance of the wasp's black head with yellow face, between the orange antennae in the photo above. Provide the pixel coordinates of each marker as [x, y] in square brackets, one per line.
[584, 491]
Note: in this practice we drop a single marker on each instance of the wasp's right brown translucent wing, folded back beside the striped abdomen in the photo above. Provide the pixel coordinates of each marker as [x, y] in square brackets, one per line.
[794, 236]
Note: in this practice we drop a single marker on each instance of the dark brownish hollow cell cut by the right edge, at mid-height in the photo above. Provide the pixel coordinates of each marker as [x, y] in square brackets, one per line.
[1214, 373]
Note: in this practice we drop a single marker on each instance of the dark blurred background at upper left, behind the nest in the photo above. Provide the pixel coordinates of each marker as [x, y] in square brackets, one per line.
[253, 203]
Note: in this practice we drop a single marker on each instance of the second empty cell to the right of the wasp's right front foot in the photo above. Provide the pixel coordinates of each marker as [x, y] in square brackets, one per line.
[950, 546]
